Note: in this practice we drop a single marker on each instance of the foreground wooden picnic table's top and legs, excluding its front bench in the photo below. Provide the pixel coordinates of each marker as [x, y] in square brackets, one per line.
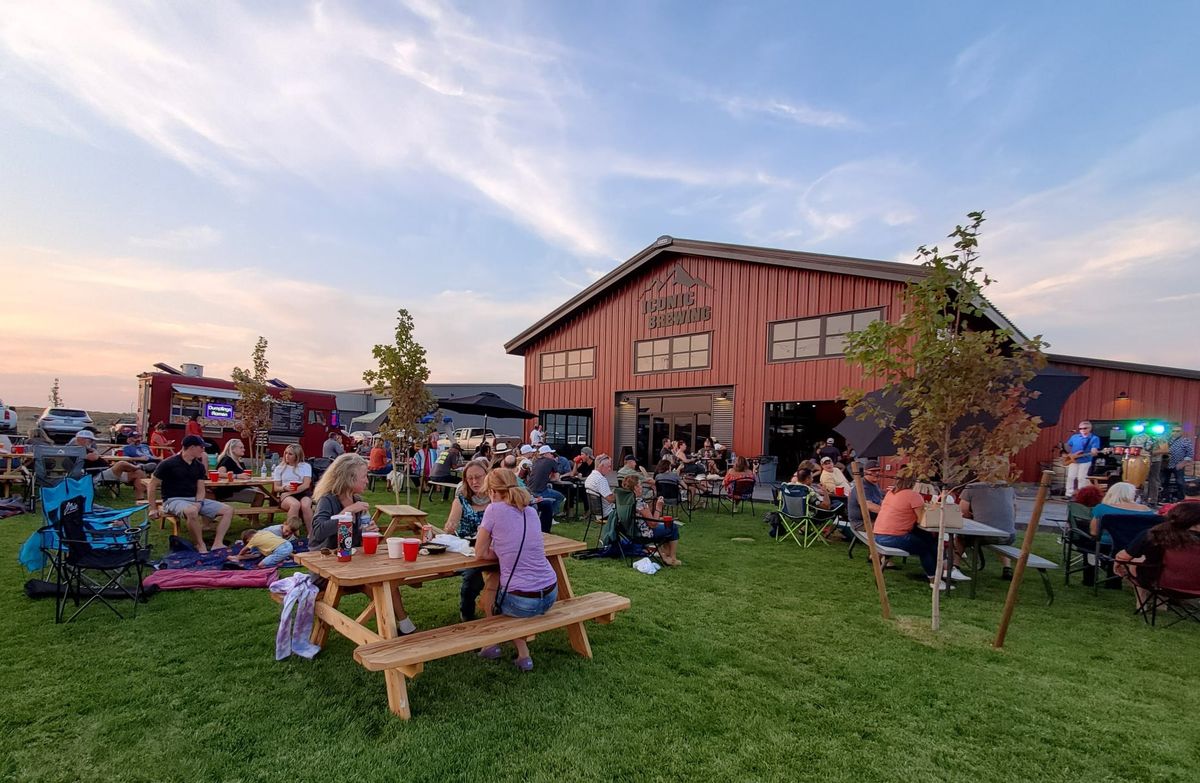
[381, 578]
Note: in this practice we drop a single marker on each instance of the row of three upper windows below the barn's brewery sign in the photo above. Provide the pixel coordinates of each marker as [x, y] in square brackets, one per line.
[788, 342]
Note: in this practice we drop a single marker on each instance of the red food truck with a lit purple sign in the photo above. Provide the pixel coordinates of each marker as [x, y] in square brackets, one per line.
[173, 398]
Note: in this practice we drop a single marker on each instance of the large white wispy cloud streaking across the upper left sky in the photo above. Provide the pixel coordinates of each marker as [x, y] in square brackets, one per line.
[236, 93]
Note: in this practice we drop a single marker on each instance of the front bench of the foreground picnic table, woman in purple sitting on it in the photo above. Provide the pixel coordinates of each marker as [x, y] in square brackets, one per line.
[409, 655]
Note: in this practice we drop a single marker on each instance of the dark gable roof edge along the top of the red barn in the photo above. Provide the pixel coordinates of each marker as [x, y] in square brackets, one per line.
[669, 247]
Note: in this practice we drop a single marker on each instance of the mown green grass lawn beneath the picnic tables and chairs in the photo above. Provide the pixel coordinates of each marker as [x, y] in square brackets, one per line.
[755, 661]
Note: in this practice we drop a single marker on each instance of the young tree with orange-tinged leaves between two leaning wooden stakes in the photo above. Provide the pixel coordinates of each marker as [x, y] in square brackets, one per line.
[959, 380]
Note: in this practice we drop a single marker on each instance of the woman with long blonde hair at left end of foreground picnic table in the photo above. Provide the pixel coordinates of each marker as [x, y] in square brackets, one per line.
[340, 491]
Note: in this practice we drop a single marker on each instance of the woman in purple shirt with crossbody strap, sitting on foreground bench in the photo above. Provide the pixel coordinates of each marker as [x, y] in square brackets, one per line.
[512, 534]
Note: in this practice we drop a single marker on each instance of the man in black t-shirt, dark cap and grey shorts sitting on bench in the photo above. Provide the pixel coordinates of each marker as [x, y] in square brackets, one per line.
[183, 488]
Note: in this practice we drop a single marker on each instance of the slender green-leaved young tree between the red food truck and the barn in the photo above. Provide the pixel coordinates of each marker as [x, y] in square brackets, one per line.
[401, 376]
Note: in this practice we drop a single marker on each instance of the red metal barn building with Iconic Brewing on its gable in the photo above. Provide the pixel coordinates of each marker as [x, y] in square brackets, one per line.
[693, 339]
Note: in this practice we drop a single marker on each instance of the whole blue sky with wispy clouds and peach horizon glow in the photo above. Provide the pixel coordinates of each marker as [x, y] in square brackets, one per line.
[179, 178]
